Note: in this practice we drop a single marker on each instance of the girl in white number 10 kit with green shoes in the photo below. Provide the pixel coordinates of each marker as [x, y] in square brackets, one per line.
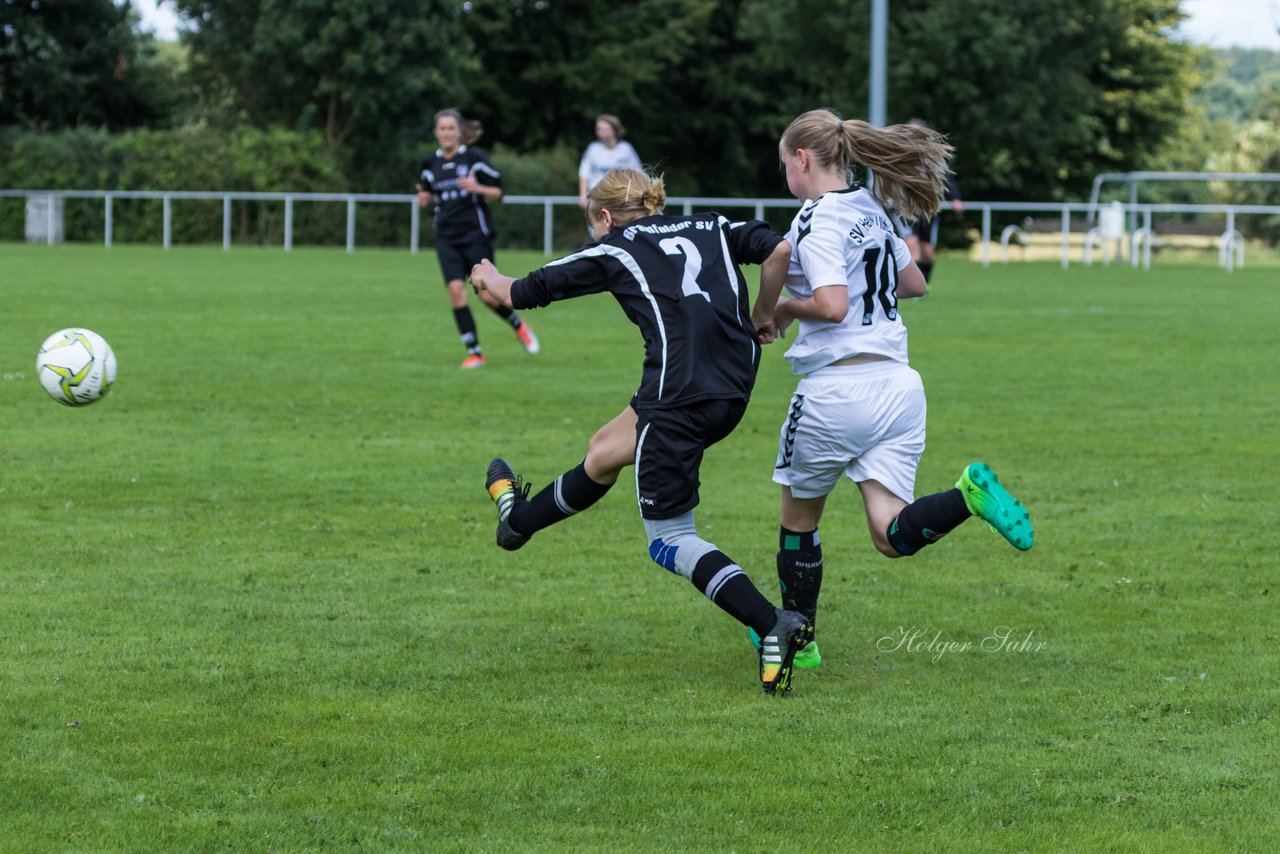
[860, 410]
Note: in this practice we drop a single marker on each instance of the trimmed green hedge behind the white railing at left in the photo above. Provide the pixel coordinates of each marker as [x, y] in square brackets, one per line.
[252, 161]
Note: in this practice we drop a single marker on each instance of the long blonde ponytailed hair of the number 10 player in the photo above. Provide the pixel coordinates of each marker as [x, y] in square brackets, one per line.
[909, 161]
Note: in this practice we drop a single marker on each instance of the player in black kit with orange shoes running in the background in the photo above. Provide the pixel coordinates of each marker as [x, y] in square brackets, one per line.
[461, 181]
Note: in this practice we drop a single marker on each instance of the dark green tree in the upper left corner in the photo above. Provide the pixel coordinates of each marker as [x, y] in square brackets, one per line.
[80, 63]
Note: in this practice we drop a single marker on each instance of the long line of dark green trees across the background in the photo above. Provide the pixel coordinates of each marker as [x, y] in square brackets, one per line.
[1037, 99]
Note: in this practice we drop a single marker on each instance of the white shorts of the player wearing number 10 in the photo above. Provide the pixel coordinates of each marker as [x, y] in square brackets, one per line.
[863, 421]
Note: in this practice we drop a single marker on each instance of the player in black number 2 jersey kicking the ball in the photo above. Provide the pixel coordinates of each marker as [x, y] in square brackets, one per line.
[678, 280]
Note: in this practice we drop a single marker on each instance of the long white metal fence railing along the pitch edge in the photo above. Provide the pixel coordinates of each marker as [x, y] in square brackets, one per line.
[1140, 240]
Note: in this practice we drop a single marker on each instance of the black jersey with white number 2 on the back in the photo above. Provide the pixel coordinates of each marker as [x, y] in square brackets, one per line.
[678, 280]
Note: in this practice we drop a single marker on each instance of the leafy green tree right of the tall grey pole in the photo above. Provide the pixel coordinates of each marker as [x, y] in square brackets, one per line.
[1040, 102]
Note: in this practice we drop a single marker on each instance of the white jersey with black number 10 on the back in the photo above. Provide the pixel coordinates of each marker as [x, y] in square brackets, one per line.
[845, 239]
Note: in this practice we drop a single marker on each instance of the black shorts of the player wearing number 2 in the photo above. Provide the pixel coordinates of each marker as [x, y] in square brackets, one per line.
[670, 446]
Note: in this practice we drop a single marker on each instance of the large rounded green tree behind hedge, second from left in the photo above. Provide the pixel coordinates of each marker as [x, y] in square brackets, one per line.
[363, 72]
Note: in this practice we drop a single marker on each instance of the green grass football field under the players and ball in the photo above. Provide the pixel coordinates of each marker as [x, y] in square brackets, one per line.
[252, 600]
